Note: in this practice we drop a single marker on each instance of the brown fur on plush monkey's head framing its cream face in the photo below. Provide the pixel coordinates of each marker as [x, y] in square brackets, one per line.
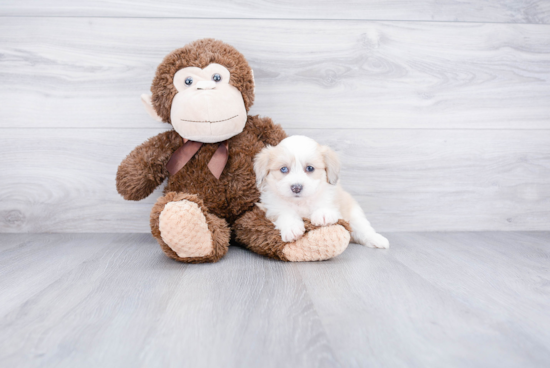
[200, 54]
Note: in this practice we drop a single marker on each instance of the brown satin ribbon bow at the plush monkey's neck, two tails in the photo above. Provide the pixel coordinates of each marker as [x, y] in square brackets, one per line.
[188, 150]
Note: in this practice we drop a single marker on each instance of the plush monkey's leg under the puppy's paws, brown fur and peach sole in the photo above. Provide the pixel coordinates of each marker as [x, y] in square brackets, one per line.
[258, 234]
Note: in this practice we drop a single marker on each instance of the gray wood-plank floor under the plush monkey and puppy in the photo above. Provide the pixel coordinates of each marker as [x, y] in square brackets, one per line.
[432, 300]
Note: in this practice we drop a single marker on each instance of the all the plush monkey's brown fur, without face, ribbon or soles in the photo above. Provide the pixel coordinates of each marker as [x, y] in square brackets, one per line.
[229, 201]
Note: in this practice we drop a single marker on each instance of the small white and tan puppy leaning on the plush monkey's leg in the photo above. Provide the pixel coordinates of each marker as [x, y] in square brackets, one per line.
[299, 178]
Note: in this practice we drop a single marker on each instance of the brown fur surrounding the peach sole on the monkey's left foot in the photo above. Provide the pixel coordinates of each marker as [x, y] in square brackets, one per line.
[217, 226]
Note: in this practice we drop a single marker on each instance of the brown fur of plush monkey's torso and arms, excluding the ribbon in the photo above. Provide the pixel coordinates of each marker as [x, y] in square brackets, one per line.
[230, 196]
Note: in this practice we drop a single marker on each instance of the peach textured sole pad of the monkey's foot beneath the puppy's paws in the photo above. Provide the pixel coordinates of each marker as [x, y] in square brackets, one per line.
[318, 244]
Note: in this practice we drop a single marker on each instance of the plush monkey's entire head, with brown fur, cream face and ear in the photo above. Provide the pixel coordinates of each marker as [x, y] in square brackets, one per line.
[204, 90]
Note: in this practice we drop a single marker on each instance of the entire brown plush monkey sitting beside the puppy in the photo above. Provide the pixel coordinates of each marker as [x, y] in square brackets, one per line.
[204, 90]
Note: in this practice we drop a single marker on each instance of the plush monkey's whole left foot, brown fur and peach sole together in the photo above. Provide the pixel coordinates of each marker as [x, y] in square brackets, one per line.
[186, 231]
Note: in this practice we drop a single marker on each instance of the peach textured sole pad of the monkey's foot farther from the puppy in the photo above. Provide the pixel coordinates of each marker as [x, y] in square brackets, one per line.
[183, 228]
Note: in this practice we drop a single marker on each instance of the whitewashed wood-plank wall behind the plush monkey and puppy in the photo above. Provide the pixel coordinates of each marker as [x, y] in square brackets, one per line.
[440, 109]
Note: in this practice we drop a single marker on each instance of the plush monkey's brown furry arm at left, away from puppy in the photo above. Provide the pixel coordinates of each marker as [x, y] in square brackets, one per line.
[144, 168]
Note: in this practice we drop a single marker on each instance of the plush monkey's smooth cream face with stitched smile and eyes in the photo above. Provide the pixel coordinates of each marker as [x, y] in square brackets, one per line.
[206, 107]
